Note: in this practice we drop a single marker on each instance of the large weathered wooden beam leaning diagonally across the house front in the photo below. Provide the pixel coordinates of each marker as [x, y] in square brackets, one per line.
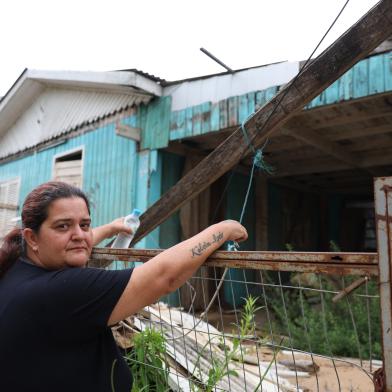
[360, 39]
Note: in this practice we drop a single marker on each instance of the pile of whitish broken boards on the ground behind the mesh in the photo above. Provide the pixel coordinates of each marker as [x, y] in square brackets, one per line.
[200, 357]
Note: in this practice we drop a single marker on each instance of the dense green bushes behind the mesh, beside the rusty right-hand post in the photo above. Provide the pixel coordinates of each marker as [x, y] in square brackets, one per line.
[326, 327]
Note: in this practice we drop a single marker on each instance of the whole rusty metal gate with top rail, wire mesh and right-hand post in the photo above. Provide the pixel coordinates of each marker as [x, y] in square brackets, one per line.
[282, 321]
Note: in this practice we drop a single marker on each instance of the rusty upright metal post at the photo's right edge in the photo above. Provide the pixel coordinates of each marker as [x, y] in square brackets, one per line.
[383, 205]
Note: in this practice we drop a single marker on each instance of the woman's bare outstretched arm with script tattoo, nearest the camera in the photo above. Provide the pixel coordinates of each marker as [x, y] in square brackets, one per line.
[172, 268]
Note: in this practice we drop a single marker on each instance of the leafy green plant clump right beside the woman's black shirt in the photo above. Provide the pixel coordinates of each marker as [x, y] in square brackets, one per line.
[147, 362]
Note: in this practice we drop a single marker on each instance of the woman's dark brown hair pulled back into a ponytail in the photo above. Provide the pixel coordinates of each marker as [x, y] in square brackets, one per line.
[34, 213]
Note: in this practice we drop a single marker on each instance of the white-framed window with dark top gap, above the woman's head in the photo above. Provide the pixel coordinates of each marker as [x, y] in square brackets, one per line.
[68, 168]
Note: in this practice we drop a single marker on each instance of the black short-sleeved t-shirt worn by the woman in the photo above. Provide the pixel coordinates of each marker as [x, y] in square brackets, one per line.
[53, 330]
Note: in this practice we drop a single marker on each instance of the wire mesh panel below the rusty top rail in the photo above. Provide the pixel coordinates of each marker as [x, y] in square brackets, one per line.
[264, 331]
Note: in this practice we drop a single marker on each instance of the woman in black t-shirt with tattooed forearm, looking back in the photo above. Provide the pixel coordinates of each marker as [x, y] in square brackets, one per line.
[55, 315]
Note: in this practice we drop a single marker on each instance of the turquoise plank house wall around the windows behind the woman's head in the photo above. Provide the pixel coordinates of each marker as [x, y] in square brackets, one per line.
[116, 176]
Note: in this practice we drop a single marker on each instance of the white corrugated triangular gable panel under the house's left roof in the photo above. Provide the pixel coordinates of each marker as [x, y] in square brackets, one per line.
[58, 110]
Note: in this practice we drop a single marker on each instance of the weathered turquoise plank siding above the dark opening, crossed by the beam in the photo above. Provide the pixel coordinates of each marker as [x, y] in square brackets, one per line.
[370, 76]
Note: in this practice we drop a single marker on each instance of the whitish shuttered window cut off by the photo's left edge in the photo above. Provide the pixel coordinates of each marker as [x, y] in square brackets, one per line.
[9, 195]
